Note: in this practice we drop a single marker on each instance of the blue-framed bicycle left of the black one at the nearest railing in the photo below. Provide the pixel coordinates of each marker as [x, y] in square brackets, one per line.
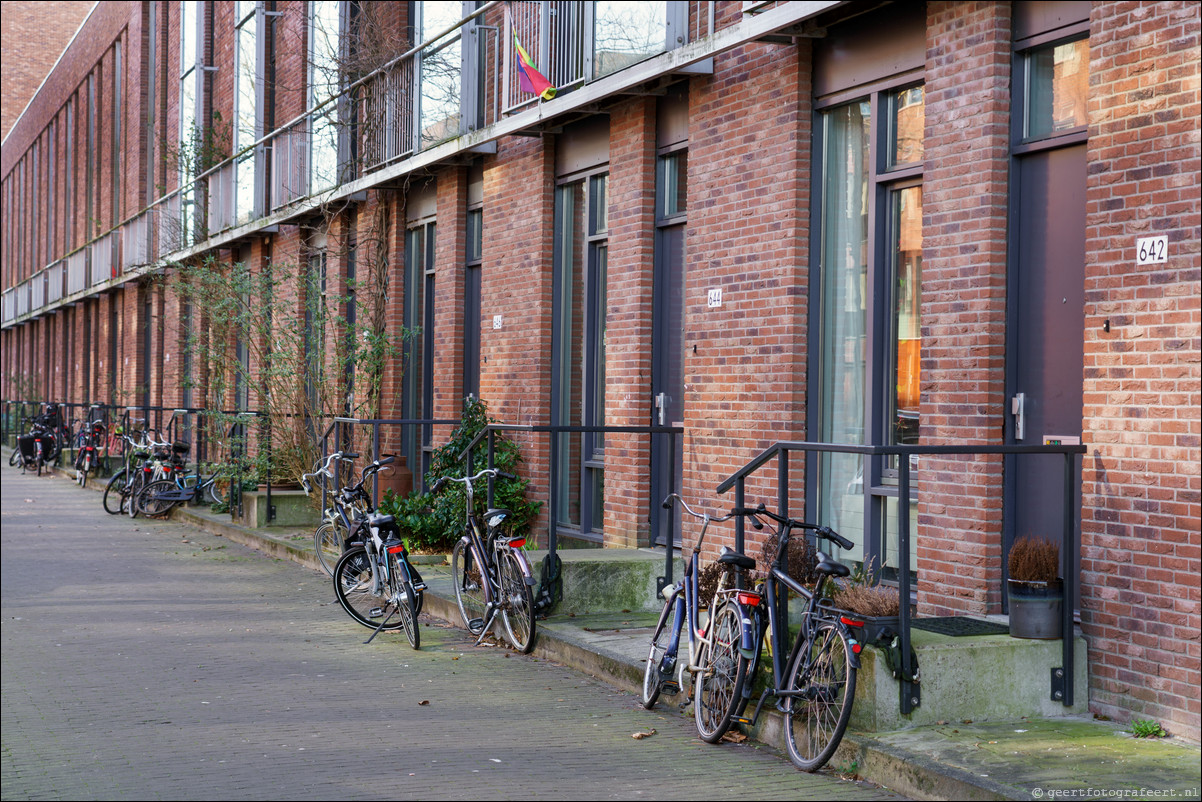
[709, 646]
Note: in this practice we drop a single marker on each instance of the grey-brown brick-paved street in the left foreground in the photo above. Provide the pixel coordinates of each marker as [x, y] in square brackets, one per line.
[147, 660]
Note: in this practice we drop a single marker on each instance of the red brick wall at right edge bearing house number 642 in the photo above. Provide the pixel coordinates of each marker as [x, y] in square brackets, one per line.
[1141, 514]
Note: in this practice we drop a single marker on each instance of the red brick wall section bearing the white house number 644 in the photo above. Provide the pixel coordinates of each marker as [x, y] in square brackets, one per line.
[748, 235]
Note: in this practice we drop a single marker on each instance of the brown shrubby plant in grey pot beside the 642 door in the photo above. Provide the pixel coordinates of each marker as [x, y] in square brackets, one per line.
[1036, 590]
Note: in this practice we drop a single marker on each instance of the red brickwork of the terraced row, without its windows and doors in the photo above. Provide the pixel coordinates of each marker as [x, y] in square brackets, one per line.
[754, 231]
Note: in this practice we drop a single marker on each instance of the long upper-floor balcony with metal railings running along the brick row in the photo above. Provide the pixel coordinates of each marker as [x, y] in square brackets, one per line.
[456, 93]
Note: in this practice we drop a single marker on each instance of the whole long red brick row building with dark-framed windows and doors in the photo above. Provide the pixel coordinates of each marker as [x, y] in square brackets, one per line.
[944, 223]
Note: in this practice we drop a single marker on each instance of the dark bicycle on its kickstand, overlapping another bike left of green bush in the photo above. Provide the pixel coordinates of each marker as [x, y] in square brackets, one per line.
[374, 574]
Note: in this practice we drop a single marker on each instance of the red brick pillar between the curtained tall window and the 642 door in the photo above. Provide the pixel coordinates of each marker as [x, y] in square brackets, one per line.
[963, 304]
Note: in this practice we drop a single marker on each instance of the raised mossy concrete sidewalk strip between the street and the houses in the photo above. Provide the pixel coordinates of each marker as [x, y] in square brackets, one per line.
[1073, 758]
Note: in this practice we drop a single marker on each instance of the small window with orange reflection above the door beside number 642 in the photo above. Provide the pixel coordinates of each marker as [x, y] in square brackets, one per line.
[1057, 88]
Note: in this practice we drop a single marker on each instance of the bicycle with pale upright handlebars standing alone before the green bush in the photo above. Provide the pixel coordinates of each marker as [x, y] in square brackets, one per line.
[491, 573]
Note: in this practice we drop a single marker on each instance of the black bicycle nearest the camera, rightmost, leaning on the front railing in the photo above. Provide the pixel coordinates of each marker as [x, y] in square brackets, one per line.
[816, 685]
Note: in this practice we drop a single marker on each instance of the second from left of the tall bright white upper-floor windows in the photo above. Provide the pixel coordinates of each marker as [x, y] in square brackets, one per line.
[246, 128]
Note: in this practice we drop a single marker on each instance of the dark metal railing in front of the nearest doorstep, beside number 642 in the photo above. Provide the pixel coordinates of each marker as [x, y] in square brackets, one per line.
[911, 696]
